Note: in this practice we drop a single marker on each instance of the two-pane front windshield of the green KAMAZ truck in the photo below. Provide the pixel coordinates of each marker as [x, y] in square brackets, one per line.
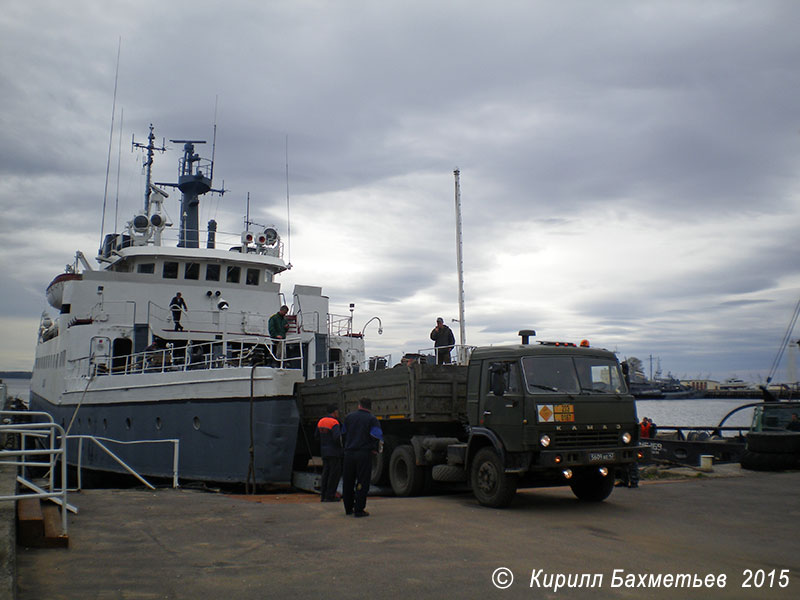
[572, 375]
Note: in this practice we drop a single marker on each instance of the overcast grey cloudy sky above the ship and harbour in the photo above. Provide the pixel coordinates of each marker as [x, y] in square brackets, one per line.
[630, 171]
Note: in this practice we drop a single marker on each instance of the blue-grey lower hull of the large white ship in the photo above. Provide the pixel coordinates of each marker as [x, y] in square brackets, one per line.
[214, 436]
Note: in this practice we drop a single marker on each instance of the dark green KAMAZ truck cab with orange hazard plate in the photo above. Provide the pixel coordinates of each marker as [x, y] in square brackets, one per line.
[550, 413]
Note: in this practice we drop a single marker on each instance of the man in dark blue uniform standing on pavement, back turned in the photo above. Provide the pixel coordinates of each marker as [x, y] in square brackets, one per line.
[363, 435]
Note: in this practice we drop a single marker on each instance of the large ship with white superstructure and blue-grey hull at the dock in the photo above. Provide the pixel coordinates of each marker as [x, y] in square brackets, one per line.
[114, 363]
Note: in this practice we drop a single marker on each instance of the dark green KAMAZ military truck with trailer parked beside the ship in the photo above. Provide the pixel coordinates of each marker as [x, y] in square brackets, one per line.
[527, 415]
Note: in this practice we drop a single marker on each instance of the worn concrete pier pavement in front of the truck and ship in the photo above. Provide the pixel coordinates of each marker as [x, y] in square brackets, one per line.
[735, 526]
